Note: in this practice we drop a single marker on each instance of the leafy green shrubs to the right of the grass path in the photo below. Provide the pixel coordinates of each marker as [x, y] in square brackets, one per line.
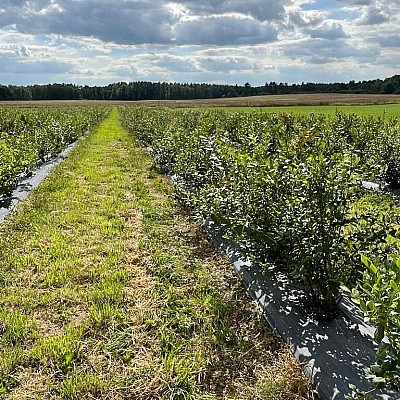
[289, 188]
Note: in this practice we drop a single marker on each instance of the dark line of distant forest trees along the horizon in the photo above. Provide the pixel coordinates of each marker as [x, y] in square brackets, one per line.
[184, 91]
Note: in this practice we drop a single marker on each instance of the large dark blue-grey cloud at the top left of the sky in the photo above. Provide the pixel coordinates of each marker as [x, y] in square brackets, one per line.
[128, 22]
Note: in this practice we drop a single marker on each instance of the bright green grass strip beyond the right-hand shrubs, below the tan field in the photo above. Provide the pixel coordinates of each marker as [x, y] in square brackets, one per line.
[385, 110]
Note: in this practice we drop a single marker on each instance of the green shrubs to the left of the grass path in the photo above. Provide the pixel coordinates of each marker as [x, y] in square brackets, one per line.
[27, 136]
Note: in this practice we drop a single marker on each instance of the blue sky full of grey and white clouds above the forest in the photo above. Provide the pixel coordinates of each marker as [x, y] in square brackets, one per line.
[97, 42]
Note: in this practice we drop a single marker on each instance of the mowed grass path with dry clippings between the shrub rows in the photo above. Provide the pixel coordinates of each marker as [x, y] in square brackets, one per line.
[109, 291]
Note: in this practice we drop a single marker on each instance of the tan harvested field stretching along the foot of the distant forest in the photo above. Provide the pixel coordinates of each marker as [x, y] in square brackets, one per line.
[254, 101]
